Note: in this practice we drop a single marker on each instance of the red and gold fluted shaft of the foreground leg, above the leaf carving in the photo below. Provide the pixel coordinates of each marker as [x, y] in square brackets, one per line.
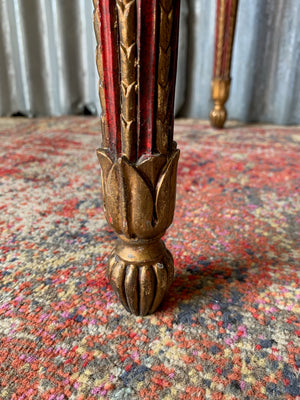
[124, 112]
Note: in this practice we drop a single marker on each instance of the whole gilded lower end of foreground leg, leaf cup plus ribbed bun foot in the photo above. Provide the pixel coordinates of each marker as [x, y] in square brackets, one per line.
[139, 201]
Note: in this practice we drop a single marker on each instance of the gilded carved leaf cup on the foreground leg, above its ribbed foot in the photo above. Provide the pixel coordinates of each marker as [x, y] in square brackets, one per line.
[139, 199]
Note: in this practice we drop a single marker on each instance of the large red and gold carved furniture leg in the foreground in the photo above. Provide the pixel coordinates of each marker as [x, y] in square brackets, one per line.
[136, 59]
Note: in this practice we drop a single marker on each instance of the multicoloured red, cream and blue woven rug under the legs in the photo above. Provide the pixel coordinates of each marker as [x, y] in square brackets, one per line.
[229, 328]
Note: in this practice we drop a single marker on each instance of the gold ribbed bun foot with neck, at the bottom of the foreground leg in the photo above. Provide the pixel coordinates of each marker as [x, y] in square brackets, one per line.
[140, 274]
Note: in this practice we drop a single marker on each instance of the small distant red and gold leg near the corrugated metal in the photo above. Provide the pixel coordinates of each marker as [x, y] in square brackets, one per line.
[225, 27]
